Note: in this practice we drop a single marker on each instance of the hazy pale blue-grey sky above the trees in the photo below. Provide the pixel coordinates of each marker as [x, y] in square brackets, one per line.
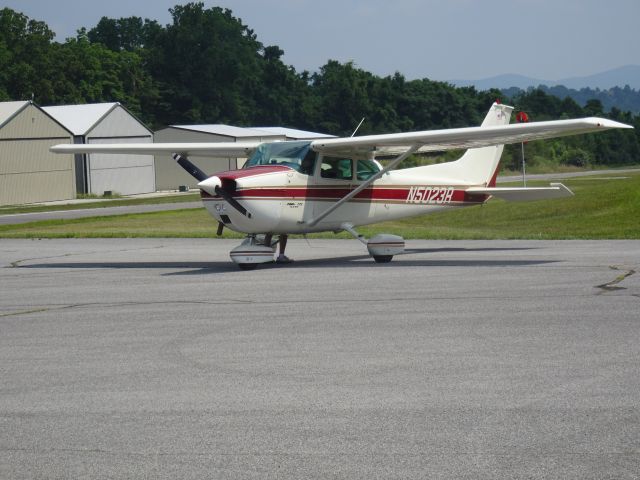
[436, 39]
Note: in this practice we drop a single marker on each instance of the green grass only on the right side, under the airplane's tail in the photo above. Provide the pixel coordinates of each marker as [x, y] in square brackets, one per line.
[600, 209]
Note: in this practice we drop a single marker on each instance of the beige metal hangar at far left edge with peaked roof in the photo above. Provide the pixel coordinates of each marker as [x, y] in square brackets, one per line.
[28, 171]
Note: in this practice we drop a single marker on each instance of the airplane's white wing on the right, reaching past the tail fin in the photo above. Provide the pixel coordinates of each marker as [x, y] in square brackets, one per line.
[462, 138]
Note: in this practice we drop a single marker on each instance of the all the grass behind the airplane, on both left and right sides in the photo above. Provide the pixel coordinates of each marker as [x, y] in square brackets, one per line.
[602, 208]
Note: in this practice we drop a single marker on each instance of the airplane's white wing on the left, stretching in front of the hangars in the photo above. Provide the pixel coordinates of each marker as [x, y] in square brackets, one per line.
[220, 149]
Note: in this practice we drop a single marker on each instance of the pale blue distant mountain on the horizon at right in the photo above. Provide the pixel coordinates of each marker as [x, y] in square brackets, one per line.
[617, 77]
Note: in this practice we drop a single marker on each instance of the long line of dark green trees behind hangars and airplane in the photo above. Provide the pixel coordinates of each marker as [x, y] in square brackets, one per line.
[206, 66]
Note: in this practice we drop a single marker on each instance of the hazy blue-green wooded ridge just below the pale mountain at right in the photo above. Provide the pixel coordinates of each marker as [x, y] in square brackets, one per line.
[623, 98]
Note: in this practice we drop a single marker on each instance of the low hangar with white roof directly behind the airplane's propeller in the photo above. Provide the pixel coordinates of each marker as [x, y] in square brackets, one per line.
[170, 176]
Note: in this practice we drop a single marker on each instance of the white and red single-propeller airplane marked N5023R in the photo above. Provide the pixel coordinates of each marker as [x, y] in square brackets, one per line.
[337, 184]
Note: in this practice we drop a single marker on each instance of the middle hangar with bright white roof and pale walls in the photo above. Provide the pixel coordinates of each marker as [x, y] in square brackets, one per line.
[107, 123]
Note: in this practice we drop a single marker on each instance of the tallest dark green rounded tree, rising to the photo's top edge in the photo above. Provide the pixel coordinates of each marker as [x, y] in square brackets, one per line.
[207, 65]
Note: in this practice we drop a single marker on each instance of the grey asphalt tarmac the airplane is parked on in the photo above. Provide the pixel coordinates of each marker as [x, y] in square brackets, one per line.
[154, 358]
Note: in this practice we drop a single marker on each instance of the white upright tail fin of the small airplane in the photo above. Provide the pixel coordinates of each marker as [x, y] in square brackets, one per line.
[478, 166]
